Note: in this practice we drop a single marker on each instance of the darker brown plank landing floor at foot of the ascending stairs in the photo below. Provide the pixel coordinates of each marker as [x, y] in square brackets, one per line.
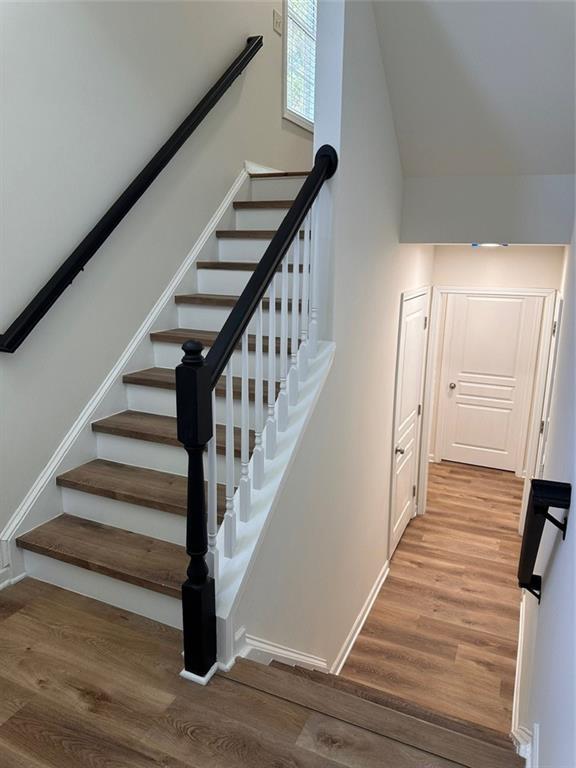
[85, 685]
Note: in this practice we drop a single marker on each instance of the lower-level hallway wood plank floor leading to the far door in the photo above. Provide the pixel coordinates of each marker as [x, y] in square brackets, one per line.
[443, 631]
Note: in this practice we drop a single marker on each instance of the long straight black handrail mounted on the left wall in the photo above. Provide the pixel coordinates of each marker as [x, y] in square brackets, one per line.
[29, 318]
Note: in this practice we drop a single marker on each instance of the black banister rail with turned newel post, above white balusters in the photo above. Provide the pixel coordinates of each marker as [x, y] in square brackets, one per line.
[196, 377]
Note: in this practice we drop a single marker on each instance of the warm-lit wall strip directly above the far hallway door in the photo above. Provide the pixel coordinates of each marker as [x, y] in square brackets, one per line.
[513, 267]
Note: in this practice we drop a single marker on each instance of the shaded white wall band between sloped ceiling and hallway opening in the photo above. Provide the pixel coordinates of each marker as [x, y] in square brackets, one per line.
[488, 209]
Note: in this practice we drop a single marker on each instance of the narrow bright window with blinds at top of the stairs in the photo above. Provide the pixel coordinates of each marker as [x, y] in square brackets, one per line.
[300, 59]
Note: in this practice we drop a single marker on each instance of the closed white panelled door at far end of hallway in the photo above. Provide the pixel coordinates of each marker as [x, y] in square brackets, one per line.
[487, 375]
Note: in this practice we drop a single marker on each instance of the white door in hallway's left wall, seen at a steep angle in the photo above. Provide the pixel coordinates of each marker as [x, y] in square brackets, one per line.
[408, 412]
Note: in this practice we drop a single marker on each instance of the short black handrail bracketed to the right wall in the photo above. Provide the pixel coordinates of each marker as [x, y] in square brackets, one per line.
[543, 495]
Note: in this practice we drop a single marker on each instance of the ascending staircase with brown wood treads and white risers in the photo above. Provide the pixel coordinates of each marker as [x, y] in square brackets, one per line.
[120, 531]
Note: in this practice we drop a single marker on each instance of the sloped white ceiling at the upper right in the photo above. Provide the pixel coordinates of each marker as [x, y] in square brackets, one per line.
[481, 88]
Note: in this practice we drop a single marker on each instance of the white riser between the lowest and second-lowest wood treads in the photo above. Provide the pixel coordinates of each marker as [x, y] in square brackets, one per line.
[131, 517]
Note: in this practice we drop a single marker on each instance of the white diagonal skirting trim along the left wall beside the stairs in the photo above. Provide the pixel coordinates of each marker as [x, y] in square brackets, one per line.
[47, 475]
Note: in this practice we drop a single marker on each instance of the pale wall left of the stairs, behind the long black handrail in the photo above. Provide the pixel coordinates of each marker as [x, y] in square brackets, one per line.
[89, 92]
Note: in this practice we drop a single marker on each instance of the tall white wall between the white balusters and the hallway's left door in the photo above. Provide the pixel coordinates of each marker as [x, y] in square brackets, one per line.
[327, 540]
